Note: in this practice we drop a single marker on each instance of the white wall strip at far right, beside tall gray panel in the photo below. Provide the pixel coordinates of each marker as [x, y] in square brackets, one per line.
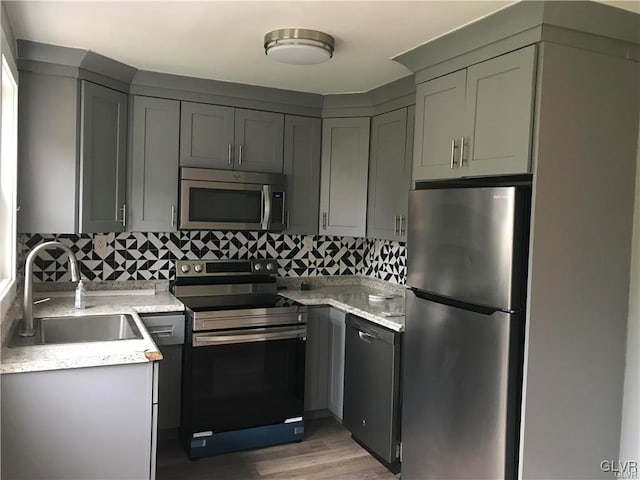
[630, 431]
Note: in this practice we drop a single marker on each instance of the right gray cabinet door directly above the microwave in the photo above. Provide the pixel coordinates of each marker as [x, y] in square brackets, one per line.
[259, 141]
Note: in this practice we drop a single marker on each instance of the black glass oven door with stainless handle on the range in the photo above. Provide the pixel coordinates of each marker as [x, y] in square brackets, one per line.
[244, 378]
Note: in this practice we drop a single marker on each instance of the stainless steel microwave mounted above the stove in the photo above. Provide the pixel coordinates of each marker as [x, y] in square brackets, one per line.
[229, 200]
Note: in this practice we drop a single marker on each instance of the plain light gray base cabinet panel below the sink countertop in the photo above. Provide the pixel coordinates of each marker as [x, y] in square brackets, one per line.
[89, 423]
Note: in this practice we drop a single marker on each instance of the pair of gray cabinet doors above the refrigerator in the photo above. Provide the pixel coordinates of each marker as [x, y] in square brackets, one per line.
[476, 121]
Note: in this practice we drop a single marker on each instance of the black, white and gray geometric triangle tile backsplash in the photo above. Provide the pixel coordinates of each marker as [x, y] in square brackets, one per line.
[152, 256]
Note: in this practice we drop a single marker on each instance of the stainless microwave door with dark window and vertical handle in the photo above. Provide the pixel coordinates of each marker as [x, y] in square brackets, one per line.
[209, 205]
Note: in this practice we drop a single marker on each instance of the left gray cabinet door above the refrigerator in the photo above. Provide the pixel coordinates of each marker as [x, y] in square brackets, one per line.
[439, 125]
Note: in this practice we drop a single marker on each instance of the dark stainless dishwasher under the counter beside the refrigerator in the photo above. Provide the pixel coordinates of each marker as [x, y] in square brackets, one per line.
[372, 389]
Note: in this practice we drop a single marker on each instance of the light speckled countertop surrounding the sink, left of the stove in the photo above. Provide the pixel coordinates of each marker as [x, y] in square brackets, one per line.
[91, 354]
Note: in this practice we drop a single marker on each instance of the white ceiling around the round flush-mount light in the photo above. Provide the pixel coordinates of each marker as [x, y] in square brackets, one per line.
[223, 40]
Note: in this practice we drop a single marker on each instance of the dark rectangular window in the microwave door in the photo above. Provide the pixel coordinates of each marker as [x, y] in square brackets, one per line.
[219, 205]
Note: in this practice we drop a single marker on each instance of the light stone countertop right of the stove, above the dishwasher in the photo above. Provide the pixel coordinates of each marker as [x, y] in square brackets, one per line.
[355, 299]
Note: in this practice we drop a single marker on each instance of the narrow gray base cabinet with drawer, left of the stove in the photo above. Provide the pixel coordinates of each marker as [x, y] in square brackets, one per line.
[167, 331]
